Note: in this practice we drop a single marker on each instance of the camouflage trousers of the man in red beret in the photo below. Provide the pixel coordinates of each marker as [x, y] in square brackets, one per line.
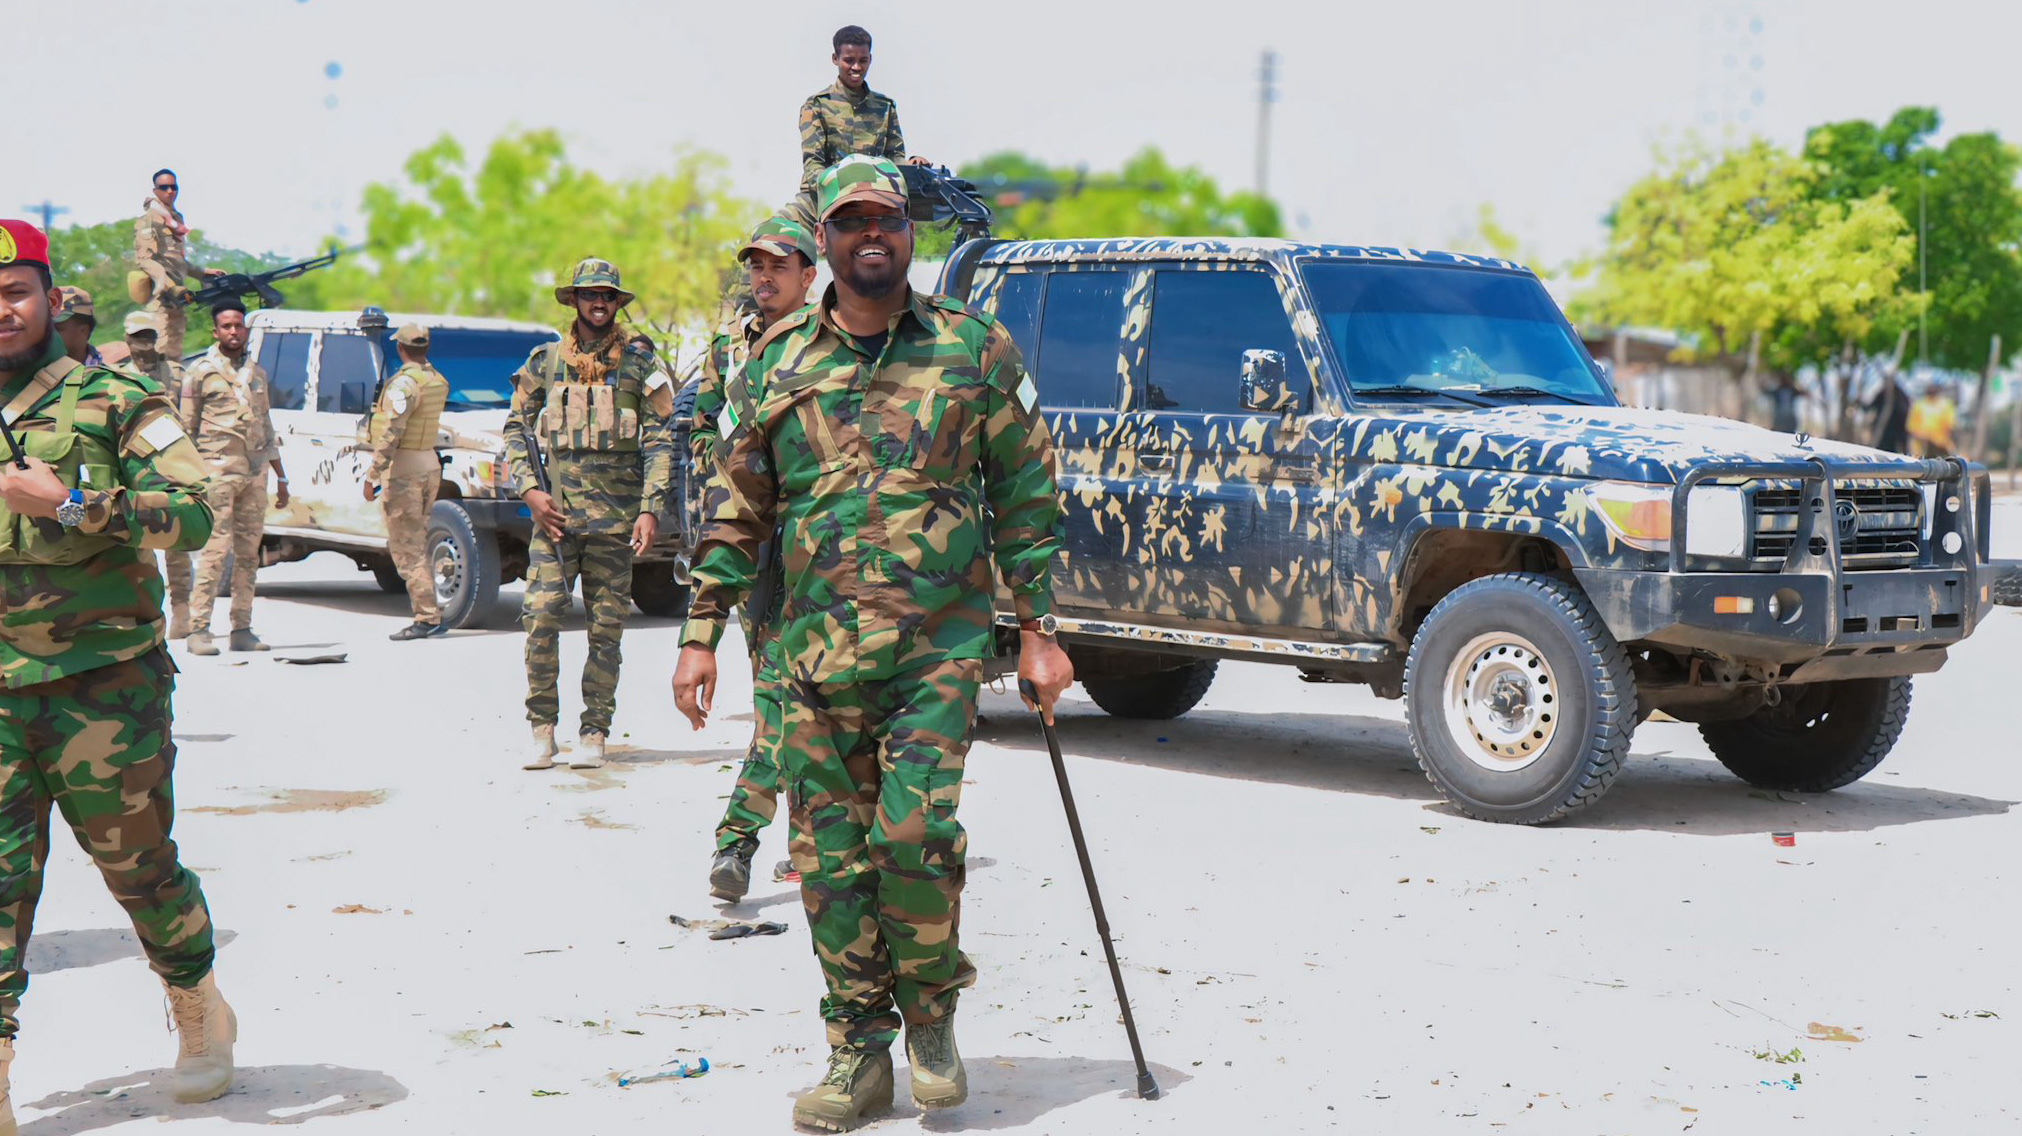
[98, 747]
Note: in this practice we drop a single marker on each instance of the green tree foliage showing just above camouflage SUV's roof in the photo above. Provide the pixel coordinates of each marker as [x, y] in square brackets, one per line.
[1150, 197]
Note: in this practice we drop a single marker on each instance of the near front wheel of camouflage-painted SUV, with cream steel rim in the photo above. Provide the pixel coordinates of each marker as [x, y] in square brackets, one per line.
[1538, 648]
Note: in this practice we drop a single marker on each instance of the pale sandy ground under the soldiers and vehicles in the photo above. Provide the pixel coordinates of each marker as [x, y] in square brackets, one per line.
[426, 939]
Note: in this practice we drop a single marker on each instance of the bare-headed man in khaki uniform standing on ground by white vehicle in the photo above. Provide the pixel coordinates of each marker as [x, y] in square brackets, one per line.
[225, 411]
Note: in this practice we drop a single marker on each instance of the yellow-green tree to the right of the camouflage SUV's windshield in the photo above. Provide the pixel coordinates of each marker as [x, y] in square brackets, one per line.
[1742, 256]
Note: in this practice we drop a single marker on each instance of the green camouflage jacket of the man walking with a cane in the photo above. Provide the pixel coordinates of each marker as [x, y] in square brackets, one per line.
[893, 480]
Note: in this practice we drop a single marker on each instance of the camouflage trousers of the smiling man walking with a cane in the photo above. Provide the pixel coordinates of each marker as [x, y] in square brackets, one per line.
[875, 773]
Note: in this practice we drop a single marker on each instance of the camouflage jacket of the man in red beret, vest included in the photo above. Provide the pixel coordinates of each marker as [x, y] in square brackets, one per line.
[72, 601]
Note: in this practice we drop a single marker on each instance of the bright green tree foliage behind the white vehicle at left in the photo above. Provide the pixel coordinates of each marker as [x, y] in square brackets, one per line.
[498, 238]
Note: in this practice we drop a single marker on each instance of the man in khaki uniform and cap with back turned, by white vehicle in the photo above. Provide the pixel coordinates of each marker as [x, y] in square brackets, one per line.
[405, 472]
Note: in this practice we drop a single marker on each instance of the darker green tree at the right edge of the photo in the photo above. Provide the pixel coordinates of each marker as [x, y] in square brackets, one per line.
[1970, 217]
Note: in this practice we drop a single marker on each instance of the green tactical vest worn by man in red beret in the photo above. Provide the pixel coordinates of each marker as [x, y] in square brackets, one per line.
[80, 462]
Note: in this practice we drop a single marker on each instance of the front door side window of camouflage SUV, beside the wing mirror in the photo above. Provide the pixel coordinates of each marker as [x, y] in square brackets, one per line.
[1200, 328]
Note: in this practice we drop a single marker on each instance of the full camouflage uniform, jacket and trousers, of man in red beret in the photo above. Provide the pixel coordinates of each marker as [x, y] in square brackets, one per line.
[86, 706]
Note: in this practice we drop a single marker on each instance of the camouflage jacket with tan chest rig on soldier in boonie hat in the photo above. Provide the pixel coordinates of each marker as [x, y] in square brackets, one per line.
[608, 438]
